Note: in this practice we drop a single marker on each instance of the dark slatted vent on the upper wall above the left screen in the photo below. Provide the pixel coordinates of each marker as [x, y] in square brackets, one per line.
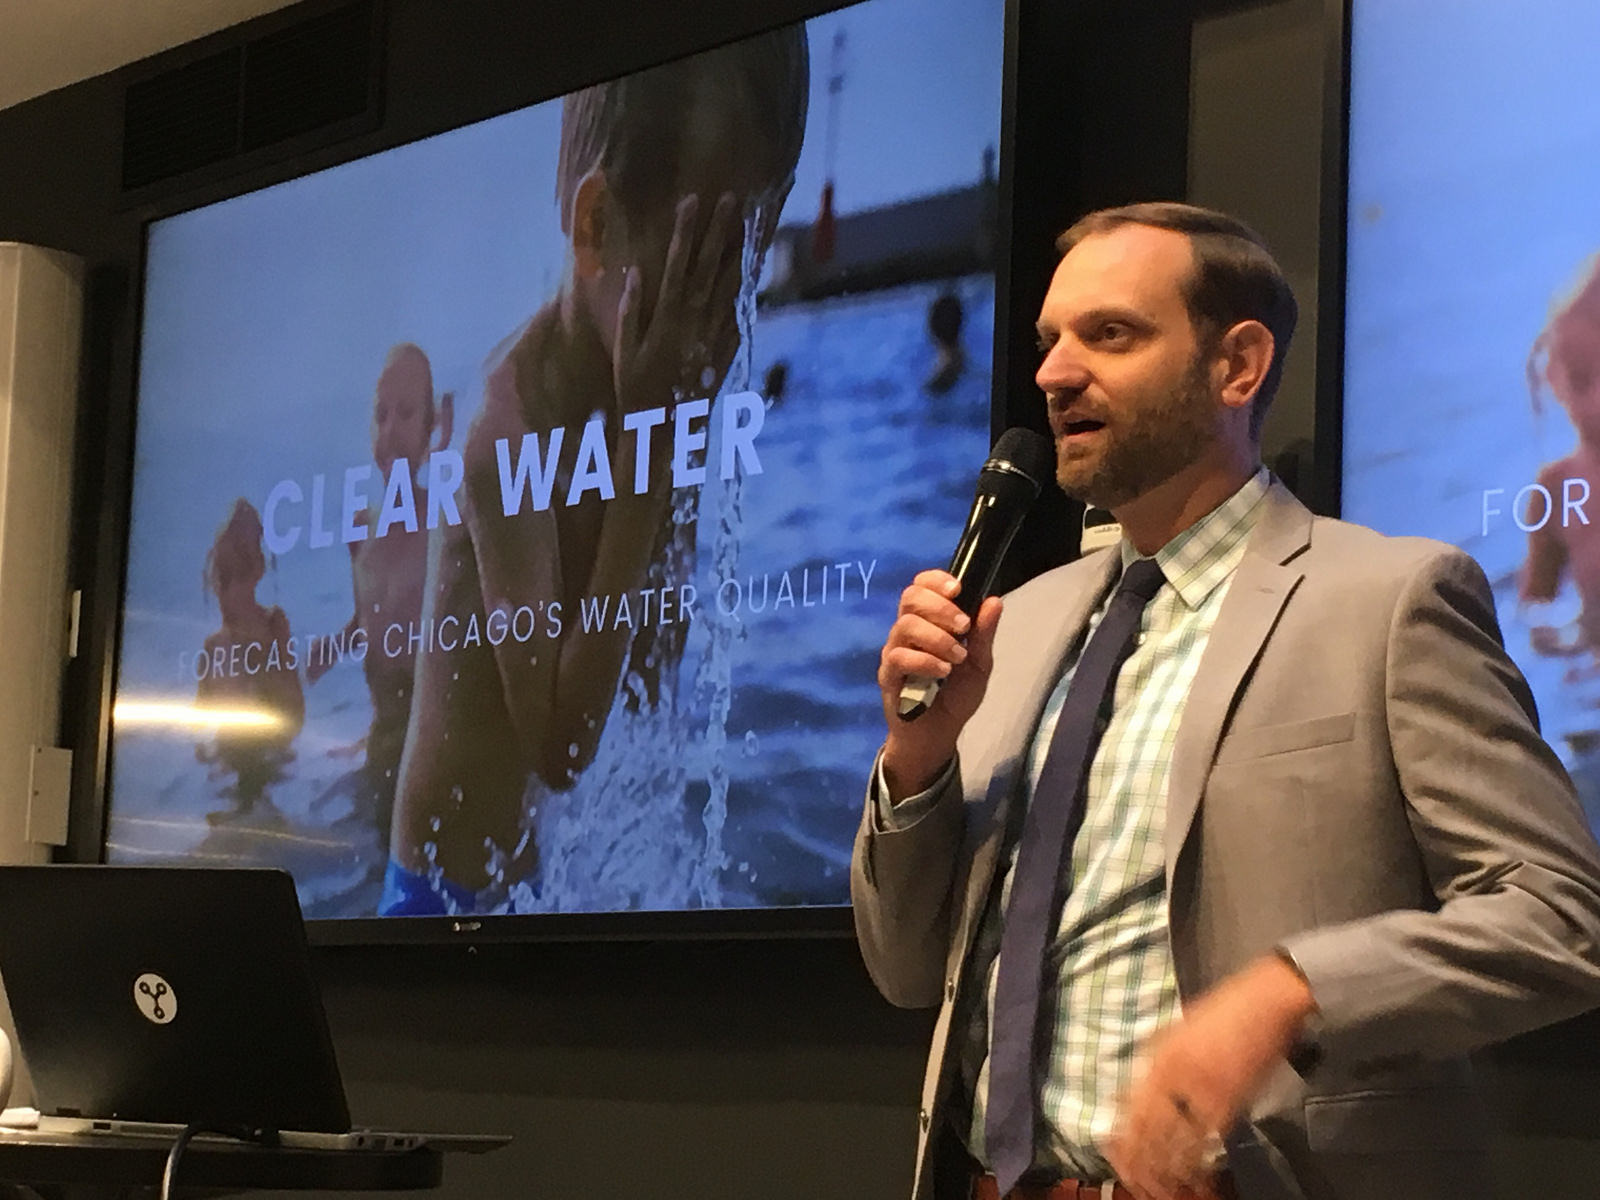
[319, 74]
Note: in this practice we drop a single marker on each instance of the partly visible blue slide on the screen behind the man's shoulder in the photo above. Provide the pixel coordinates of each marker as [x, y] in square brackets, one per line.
[1473, 327]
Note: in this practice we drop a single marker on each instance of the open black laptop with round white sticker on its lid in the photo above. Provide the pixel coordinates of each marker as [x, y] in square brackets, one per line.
[148, 999]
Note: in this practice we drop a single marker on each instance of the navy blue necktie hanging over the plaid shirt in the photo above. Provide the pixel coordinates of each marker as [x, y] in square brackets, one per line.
[1054, 818]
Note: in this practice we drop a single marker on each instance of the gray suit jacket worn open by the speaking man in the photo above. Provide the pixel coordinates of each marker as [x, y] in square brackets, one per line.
[1358, 778]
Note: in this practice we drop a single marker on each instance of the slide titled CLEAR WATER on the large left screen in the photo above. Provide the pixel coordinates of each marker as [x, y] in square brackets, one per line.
[519, 513]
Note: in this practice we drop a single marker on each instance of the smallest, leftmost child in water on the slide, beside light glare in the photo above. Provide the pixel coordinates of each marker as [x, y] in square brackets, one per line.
[252, 665]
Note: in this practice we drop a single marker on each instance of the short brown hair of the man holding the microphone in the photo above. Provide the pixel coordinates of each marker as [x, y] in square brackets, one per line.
[1236, 278]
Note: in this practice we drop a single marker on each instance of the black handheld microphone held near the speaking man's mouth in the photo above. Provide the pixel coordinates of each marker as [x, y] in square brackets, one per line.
[1007, 489]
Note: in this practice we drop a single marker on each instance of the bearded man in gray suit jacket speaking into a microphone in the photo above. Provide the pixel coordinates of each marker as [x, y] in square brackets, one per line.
[1321, 850]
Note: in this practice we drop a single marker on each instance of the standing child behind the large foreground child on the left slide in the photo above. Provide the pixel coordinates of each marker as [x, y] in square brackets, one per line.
[390, 567]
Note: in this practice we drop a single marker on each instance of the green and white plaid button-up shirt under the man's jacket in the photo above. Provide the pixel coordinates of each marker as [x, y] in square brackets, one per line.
[1110, 966]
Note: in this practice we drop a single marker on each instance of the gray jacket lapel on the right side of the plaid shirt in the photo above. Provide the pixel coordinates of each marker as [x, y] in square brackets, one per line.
[1255, 599]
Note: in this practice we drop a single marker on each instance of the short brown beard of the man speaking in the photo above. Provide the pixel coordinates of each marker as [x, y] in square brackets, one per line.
[1164, 439]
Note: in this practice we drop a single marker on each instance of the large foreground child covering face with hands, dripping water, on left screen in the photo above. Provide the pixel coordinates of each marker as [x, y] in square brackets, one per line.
[658, 180]
